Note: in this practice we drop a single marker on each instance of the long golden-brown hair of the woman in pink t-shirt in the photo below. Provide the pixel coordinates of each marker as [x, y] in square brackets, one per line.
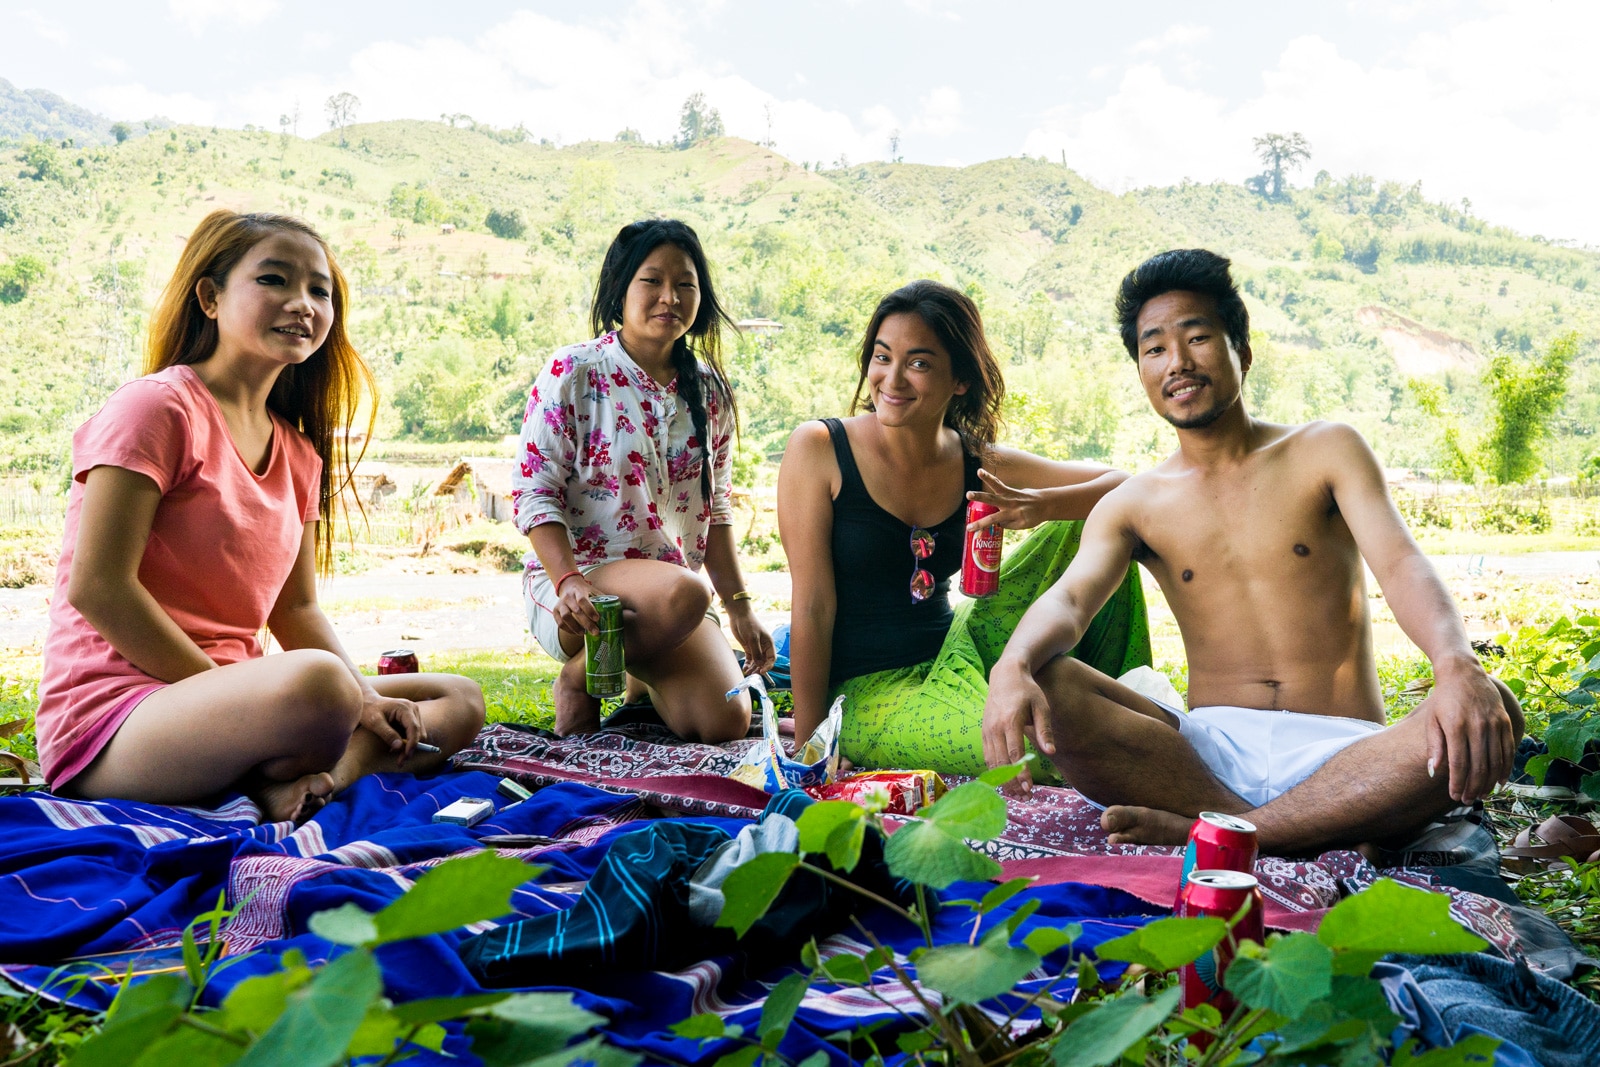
[319, 398]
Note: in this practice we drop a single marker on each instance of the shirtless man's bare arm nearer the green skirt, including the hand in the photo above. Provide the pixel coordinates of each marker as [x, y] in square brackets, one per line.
[1017, 705]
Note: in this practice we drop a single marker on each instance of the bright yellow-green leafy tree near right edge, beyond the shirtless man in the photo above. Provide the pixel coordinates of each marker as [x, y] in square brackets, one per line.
[1527, 398]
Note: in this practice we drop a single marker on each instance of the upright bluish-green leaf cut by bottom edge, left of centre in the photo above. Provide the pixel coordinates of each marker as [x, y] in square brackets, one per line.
[321, 1020]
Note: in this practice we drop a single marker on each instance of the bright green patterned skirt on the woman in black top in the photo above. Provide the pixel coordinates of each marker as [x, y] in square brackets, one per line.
[930, 716]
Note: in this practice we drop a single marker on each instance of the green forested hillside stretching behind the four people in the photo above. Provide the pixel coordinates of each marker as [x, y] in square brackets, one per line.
[1358, 289]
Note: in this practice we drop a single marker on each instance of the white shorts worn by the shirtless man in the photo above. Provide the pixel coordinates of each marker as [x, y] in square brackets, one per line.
[1262, 754]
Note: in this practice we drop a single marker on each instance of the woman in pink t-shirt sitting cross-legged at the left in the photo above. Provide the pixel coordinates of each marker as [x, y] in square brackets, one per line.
[194, 524]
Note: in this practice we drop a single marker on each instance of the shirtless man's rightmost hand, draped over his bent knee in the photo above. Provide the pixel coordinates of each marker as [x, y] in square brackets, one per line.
[1468, 732]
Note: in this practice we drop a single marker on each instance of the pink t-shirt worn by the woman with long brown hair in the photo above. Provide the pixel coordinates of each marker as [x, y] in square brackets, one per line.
[222, 546]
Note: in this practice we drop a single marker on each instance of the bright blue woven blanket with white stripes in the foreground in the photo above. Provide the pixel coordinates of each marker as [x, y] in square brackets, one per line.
[89, 877]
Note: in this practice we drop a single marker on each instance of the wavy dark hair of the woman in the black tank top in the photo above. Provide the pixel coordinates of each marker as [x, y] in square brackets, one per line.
[956, 321]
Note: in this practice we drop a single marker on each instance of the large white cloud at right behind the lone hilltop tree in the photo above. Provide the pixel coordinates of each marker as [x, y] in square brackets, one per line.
[1500, 110]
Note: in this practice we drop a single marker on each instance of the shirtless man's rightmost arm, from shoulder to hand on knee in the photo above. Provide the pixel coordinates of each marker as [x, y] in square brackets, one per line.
[1470, 730]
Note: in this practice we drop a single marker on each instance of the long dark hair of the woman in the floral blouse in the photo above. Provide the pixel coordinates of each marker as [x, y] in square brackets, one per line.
[703, 342]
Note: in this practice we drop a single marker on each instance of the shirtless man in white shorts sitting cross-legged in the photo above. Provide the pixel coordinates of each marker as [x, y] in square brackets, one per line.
[1257, 535]
